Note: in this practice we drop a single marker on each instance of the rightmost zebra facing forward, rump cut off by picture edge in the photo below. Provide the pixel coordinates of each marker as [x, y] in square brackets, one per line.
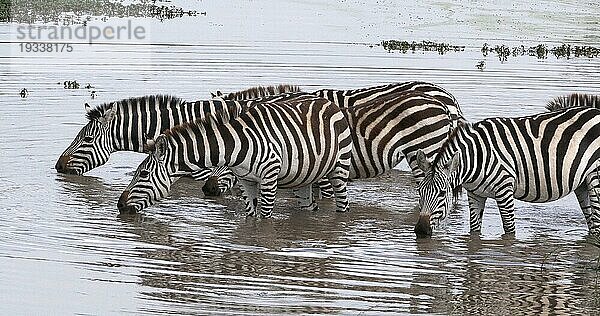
[537, 158]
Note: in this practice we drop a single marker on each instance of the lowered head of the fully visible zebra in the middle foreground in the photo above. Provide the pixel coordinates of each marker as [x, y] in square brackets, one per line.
[151, 181]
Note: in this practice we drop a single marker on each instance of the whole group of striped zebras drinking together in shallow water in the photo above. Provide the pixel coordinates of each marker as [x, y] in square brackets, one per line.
[266, 138]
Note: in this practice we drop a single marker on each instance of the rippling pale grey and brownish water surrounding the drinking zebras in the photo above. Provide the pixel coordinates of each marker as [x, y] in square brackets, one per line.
[64, 251]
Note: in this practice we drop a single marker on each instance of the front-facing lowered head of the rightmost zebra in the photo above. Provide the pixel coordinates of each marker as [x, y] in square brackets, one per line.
[435, 192]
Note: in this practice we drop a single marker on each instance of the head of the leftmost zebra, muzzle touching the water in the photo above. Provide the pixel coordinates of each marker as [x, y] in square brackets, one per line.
[93, 144]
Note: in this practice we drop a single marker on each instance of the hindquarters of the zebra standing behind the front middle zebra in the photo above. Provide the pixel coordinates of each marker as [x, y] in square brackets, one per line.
[389, 123]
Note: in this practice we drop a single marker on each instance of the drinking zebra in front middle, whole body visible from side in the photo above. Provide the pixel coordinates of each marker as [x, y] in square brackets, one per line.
[283, 144]
